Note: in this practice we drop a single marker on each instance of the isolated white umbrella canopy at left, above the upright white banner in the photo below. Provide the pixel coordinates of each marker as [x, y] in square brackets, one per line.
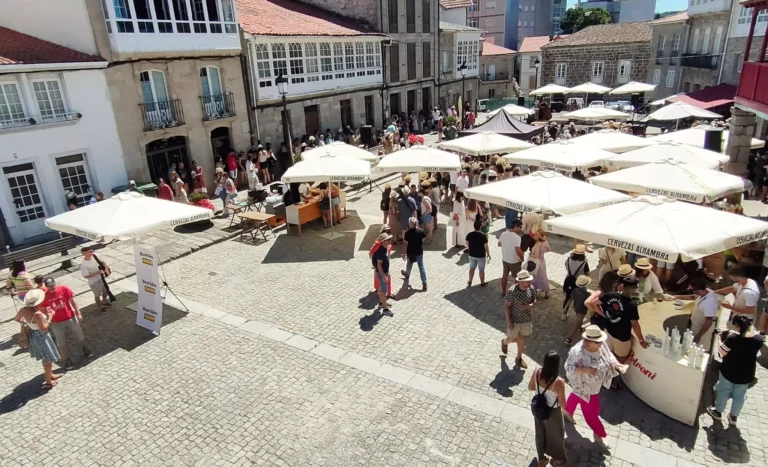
[126, 215]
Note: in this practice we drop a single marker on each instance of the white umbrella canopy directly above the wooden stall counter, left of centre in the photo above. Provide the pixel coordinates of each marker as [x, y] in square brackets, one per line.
[328, 167]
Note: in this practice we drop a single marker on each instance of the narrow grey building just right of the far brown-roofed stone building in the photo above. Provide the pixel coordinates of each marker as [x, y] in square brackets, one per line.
[669, 37]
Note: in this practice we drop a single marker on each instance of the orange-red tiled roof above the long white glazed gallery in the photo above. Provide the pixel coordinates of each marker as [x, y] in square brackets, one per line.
[291, 18]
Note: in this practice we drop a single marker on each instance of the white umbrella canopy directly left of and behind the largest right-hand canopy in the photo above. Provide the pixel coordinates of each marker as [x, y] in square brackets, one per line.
[545, 190]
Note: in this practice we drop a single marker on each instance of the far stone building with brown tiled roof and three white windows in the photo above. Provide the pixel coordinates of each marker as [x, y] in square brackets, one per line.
[609, 55]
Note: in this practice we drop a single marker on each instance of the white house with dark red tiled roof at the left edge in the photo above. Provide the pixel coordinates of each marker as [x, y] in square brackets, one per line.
[59, 141]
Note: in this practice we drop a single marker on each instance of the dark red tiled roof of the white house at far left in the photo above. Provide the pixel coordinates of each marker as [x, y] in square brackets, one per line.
[20, 49]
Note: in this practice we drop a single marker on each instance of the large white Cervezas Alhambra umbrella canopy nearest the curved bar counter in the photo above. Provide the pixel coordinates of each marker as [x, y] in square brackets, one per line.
[661, 228]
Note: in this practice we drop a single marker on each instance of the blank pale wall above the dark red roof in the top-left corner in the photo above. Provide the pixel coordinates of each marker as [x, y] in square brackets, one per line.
[61, 22]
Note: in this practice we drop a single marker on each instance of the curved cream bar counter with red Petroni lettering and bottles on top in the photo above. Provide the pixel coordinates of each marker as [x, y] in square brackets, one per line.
[667, 384]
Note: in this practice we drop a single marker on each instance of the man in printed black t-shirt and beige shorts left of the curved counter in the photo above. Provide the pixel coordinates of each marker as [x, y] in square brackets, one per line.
[621, 318]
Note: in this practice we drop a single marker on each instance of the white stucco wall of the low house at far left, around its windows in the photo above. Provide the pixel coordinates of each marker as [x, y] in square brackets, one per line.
[94, 135]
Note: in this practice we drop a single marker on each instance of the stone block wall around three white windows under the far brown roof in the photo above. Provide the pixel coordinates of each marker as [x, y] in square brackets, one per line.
[579, 60]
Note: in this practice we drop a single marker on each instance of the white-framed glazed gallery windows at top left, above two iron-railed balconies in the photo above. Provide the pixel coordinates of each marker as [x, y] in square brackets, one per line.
[171, 16]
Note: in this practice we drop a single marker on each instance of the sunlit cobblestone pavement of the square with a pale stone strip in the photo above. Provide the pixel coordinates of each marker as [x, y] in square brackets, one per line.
[284, 361]
